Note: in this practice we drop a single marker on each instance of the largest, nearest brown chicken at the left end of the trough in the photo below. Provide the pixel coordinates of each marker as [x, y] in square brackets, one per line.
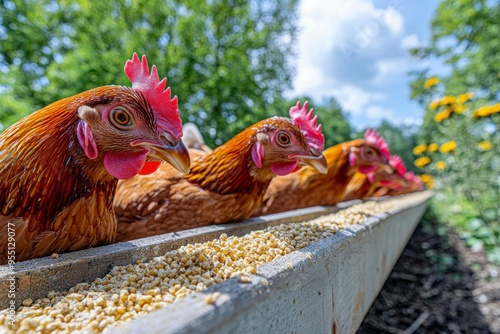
[59, 166]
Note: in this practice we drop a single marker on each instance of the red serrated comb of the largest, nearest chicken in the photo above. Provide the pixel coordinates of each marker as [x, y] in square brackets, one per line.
[166, 109]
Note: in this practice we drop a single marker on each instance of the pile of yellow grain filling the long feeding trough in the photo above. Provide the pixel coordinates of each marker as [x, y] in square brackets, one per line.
[128, 292]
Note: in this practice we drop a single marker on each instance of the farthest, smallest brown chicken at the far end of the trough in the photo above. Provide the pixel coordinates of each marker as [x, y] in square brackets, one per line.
[379, 182]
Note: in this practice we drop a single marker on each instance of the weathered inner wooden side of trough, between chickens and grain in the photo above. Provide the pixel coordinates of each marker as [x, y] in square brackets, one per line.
[35, 278]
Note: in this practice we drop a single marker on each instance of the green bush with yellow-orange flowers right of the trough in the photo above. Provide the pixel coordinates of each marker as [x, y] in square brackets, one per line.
[461, 159]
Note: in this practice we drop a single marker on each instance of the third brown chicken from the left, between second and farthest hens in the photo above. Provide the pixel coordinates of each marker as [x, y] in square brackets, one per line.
[309, 188]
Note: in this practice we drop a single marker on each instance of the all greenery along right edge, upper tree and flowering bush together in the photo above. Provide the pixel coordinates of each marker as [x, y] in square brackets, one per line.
[465, 37]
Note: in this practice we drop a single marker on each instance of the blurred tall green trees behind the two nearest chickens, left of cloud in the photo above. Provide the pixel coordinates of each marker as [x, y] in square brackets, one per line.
[226, 60]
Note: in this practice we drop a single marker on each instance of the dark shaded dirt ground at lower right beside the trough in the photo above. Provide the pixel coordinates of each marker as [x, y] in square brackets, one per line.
[437, 286]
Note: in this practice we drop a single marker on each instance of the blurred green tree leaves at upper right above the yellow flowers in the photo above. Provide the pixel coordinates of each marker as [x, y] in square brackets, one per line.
[465, 37]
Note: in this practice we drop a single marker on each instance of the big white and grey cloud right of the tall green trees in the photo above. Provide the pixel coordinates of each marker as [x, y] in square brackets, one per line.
[343, 38]
